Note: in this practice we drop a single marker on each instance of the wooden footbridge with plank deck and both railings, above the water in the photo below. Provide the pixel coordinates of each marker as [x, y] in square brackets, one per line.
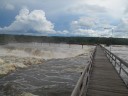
[99, 78]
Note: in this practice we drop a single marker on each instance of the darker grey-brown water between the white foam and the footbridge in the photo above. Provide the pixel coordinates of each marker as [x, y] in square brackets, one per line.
[52, 77]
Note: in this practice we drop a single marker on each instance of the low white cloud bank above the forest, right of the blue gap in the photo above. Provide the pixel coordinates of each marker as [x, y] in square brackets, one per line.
[90, 26]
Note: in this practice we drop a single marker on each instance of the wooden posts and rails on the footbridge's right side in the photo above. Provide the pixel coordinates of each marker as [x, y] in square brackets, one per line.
[117, 61]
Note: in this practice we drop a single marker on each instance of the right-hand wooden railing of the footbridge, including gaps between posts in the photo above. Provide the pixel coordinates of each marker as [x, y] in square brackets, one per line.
[120, 65]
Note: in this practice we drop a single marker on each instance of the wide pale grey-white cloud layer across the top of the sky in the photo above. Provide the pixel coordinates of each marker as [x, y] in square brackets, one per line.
[113, 8]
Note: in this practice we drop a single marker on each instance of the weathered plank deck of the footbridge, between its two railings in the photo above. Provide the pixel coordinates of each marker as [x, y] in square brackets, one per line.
[104, 80]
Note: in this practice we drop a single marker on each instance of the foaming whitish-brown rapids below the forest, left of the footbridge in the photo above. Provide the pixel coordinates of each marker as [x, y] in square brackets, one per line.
[22, 55]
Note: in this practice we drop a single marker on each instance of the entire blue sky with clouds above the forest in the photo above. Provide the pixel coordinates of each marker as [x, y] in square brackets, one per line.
[103, 18]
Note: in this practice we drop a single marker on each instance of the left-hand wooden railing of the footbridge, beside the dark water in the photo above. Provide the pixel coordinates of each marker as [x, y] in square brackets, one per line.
[82, 83]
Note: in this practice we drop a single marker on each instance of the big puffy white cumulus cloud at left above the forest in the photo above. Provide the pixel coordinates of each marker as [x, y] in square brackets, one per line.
[34, 21]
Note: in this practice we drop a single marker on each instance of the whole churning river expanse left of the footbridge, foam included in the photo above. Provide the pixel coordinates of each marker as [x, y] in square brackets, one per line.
[41, 69]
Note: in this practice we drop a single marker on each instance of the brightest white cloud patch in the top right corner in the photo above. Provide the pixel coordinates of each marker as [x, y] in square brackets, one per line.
[114, 8]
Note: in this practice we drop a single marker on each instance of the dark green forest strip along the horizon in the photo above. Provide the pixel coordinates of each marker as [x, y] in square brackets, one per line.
[4, 38]
